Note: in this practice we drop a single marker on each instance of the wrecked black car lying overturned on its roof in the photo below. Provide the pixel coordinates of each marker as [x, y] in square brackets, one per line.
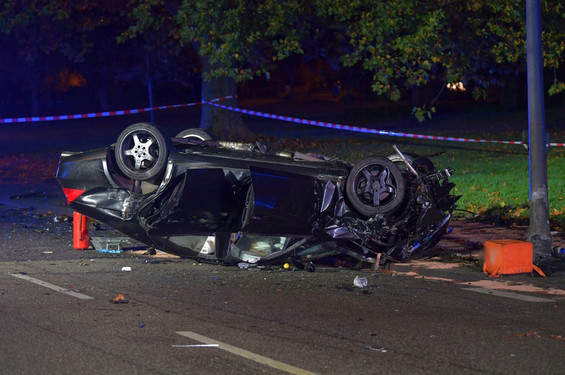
[243, 202]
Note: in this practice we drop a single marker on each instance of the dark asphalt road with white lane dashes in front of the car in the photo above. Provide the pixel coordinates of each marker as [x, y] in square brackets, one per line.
[58, 316]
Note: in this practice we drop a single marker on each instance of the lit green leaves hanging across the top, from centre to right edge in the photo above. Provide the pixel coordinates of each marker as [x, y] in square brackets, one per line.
[406, 44]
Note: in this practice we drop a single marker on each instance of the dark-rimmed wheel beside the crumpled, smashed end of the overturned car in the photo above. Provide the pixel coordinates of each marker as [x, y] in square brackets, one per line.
[375, 186]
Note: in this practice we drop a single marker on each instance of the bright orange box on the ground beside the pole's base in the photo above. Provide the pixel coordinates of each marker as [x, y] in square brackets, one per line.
[506, 257]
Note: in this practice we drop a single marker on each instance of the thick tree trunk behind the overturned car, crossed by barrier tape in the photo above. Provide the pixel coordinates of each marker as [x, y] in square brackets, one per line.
[223, 123]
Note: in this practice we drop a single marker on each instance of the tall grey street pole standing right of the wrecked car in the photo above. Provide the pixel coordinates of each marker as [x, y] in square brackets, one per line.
[540, 235]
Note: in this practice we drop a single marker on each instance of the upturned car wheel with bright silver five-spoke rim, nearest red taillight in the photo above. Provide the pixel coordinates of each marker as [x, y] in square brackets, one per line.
[142, 151]
